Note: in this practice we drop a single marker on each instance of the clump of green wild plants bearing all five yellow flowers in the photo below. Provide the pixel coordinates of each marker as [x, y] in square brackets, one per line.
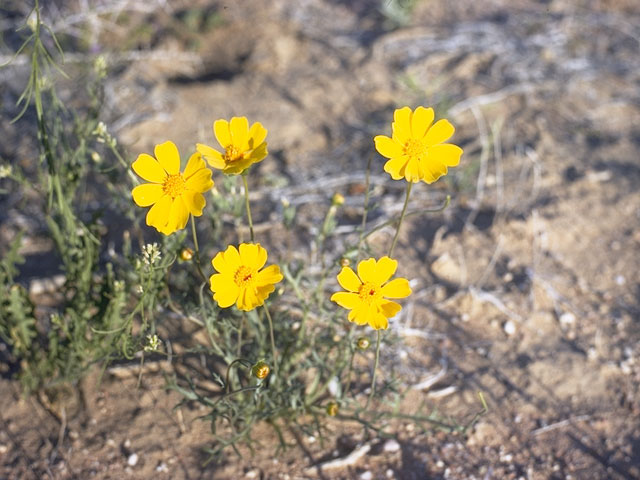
[286, 342]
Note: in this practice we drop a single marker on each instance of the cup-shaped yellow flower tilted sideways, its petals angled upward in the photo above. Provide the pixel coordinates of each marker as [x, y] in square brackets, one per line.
[243, 146]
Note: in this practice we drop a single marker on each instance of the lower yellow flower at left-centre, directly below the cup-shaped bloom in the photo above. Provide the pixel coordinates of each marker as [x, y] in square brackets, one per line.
[240, 279]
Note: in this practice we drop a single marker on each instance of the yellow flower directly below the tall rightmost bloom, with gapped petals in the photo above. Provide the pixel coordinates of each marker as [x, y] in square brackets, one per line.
[366, 292]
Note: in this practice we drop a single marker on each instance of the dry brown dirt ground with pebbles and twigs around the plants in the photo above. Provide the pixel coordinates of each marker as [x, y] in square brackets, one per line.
[526, 288]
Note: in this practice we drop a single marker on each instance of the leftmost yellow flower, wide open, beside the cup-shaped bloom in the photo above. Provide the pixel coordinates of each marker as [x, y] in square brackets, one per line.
[174, 195]
